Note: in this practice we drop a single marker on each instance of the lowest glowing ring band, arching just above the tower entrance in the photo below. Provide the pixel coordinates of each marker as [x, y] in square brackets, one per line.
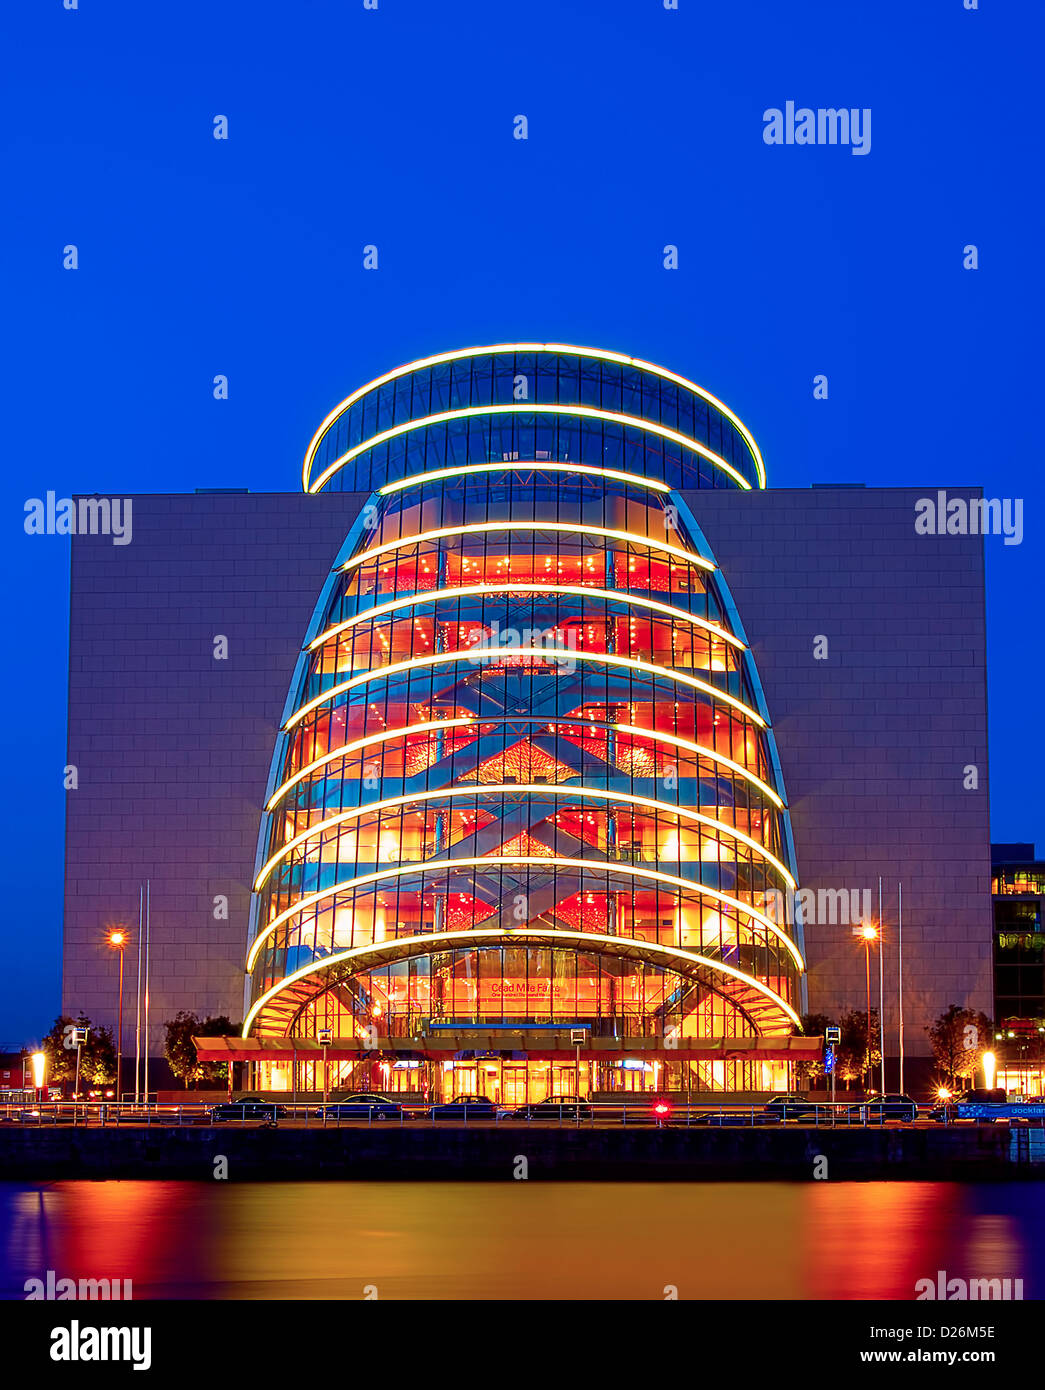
[602, 945]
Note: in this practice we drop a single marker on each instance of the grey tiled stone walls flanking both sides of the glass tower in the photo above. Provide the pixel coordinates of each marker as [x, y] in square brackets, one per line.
[173, 747]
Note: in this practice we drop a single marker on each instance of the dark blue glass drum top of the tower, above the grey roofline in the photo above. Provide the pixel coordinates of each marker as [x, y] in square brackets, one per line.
[533, 402]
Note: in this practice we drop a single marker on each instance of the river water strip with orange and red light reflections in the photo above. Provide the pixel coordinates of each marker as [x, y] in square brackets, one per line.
[522, 1241]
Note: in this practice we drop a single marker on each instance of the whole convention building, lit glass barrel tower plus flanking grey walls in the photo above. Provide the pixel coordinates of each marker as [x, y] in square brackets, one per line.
[534, 747]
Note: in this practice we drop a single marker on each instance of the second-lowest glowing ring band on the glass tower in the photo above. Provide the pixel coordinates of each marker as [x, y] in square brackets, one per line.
[520, 862]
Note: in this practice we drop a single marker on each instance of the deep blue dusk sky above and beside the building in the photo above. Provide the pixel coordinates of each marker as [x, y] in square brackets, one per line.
[352, 127]
